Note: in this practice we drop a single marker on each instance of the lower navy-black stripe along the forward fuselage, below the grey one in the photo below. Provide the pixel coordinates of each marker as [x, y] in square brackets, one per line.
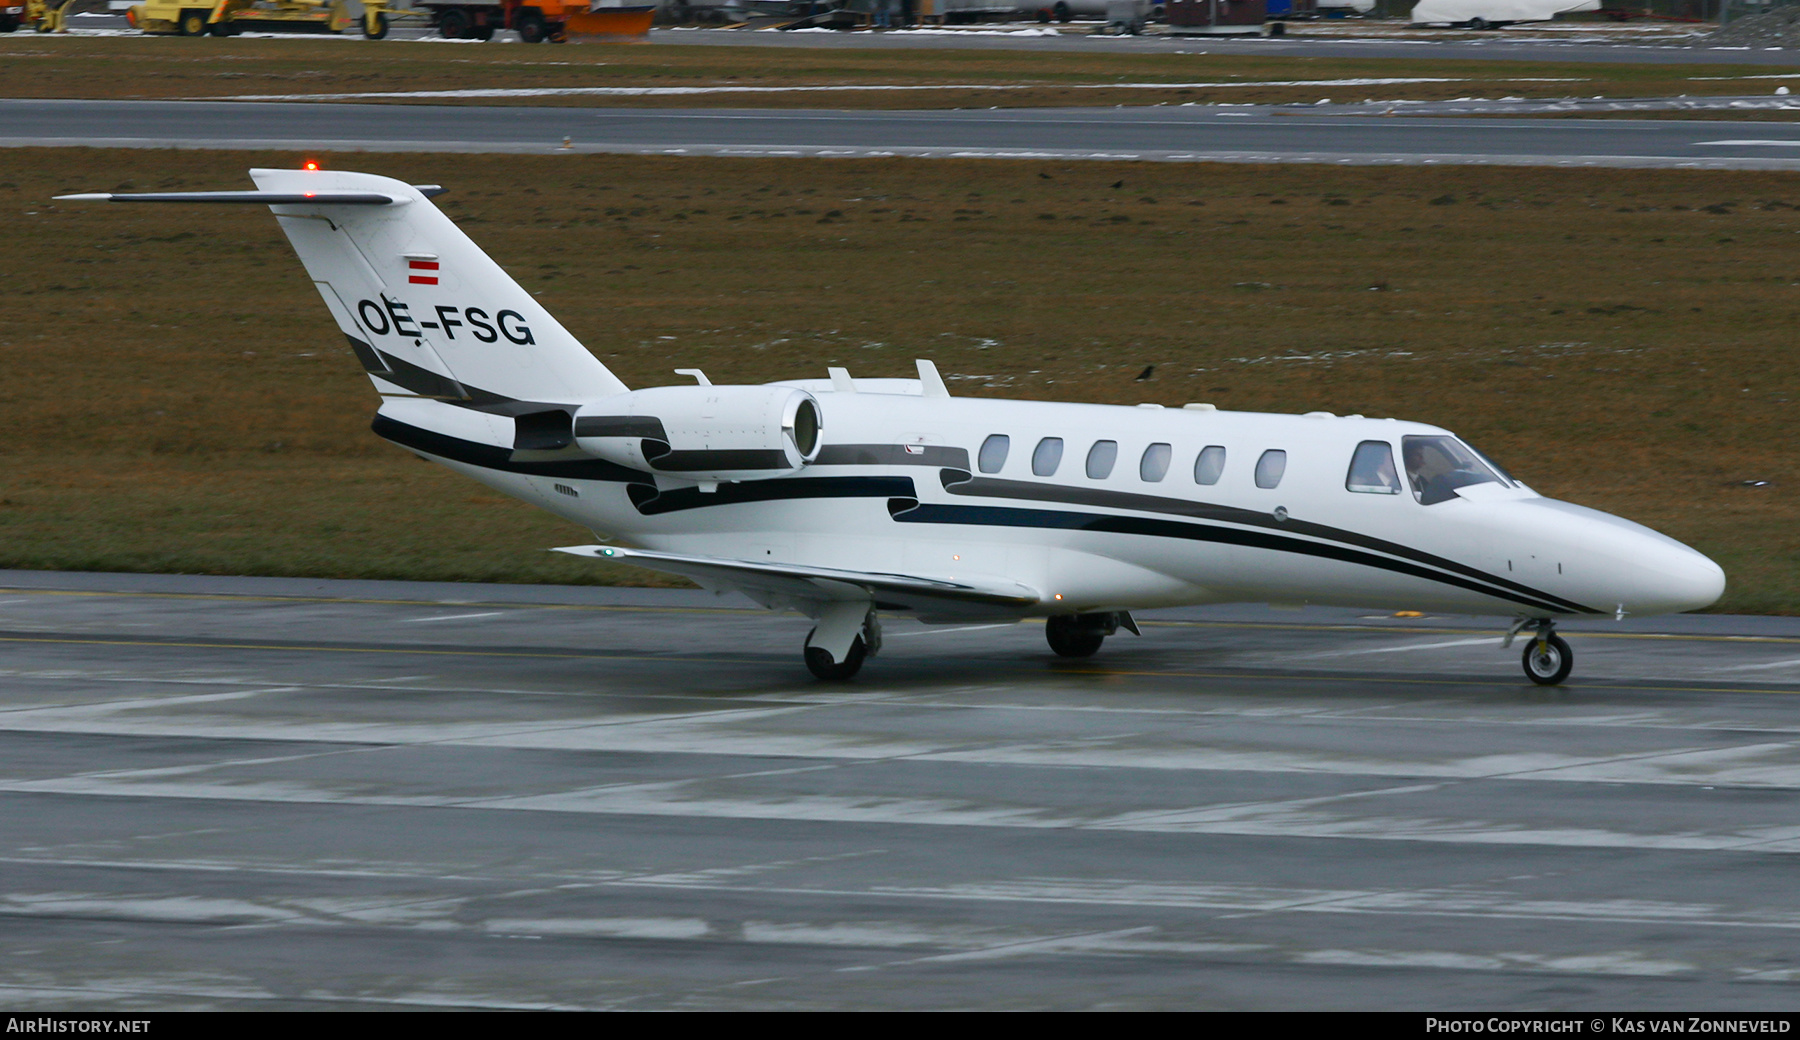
[910, 512]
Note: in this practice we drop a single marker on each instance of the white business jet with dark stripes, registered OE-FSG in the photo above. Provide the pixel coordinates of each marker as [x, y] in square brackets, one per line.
[850, 499]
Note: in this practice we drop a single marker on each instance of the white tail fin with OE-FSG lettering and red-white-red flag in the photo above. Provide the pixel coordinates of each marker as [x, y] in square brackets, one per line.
[426, 310]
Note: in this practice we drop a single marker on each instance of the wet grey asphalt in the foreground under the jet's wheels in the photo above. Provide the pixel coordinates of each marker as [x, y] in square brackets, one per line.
[301, 794]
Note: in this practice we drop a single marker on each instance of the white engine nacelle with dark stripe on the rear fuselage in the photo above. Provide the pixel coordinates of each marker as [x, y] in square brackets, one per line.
[705, 435]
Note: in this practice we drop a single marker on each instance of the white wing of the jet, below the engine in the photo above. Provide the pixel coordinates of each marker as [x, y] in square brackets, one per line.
[796, 582]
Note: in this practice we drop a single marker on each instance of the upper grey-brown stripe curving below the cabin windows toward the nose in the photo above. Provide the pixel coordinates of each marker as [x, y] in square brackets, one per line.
[962, 483]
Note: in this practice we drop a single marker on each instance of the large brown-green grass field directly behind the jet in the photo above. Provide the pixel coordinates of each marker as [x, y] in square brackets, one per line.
[179, 400]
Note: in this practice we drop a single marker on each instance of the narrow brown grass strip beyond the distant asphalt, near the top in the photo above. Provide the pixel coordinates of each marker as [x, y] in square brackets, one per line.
[177, 67]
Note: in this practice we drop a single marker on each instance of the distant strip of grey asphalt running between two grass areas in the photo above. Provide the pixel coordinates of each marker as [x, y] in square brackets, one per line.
[1119, 134]
